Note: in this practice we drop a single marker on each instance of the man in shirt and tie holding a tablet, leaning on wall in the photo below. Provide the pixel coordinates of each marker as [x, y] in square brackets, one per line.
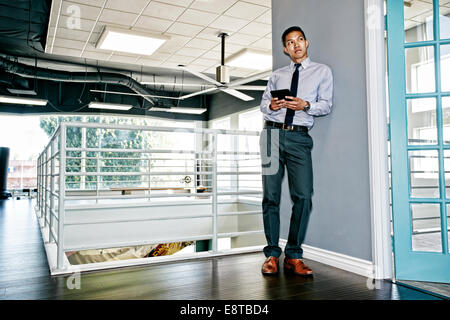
[285, 142]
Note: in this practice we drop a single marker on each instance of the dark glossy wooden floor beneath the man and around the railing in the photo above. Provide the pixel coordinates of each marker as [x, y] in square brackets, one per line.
[24, 274]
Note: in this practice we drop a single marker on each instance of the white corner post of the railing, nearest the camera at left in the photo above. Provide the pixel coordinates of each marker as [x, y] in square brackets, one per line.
[62, 189]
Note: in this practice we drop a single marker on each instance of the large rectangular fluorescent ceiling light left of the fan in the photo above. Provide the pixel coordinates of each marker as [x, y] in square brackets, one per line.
[123, 40]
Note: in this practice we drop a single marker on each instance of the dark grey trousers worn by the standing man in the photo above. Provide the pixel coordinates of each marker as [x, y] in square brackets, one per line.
[282, 149]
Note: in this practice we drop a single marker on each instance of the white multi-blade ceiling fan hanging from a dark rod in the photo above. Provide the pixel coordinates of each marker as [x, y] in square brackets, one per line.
[222, 81]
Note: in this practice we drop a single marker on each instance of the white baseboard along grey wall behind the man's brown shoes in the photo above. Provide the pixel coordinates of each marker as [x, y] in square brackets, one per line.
[338, 260]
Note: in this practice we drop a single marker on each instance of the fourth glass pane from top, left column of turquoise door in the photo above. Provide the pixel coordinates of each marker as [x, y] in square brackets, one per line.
[424, 173]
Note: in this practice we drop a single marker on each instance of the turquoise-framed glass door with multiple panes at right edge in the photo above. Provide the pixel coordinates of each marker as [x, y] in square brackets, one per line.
[418, 39]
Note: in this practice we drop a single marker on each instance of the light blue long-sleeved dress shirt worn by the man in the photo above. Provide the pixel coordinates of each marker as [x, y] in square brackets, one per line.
[315, 85]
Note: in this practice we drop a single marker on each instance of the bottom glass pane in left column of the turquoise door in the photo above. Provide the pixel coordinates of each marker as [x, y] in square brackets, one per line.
[426, 227]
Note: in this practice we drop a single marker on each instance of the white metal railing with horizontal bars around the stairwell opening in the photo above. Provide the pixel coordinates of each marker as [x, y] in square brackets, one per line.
[69, 174]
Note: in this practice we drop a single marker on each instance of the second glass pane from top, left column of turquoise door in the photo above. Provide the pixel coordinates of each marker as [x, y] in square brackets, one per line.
[420, 76]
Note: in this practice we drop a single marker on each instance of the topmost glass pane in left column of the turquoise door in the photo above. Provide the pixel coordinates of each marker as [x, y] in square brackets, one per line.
[418, 21]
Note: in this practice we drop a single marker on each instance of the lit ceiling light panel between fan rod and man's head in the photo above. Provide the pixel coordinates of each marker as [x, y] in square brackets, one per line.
[250, 59]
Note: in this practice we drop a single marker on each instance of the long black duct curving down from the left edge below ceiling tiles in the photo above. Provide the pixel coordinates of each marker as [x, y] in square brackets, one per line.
[81, 77]
